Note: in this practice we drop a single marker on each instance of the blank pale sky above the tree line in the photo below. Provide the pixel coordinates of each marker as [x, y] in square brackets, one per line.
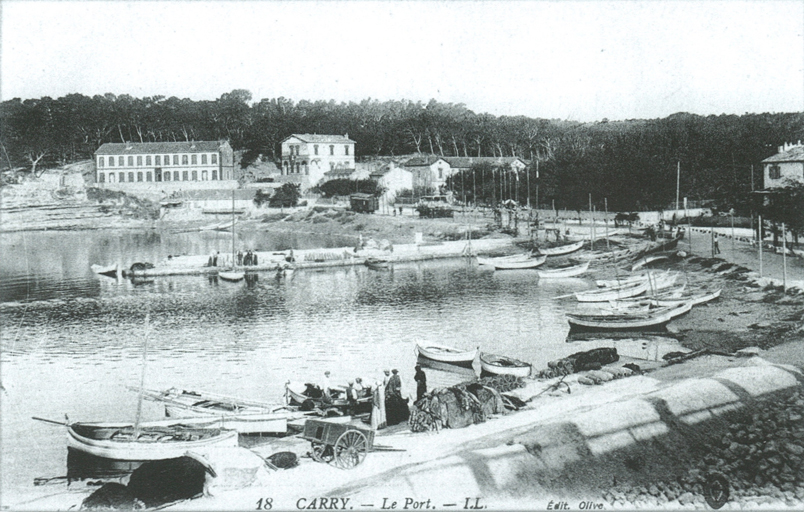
[573, 60]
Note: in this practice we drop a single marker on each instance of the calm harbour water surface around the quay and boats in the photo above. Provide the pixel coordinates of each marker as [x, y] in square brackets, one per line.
[72, 342]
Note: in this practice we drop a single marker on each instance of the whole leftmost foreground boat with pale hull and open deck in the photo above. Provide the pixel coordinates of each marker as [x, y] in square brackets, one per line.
[155, 440]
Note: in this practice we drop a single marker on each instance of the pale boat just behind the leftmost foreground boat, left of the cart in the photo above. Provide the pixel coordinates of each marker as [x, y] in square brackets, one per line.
[244, 416]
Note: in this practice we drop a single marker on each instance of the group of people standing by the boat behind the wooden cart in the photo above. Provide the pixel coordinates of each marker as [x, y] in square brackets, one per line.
[389, 407]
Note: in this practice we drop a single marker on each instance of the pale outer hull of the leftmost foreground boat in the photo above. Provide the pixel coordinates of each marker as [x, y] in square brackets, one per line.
[140, 451]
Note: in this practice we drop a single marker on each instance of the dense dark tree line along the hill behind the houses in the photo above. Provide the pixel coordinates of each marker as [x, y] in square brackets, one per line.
[630, 163]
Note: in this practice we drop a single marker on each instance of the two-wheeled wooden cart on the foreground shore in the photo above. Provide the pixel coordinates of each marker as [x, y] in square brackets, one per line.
[342, 444]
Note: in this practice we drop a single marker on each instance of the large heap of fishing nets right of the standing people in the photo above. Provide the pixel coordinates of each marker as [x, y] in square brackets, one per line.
[462, 405]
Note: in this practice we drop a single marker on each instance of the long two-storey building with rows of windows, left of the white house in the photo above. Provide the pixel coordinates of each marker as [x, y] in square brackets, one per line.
[149, 166]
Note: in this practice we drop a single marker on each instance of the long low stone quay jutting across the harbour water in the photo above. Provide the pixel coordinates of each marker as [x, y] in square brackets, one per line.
[331, 257]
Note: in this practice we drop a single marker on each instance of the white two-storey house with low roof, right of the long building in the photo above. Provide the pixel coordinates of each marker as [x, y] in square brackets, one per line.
[311, 155]
